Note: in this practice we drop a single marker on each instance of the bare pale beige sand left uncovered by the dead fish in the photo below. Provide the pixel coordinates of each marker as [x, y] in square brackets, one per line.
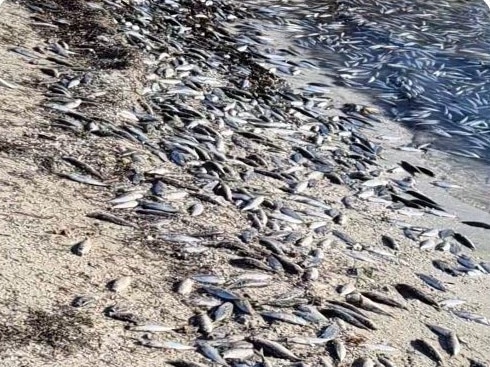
[42, 216]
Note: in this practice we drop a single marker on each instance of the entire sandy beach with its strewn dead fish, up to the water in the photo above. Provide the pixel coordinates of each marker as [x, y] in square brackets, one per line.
[210, 185]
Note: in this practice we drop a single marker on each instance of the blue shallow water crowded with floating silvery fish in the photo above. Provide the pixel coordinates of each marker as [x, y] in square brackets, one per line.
[426, 63]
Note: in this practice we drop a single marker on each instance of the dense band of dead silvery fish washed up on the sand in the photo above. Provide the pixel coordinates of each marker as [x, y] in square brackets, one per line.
[230, 133]
